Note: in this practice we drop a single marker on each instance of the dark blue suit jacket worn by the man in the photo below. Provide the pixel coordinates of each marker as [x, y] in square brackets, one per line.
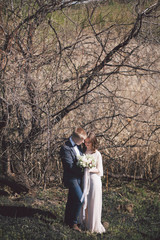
[69, 161]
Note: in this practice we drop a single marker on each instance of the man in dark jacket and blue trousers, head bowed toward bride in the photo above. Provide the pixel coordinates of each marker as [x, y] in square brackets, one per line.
[72, 176]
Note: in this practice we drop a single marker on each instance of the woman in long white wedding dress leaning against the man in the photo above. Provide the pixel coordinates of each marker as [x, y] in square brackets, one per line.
[92, 207]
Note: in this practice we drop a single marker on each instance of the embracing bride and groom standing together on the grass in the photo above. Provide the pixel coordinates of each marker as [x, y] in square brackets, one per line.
[84, 203]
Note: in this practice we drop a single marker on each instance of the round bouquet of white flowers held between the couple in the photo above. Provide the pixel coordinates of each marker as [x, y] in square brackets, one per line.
[86, 161]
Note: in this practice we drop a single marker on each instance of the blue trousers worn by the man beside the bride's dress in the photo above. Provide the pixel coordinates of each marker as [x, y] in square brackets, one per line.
[74, 204]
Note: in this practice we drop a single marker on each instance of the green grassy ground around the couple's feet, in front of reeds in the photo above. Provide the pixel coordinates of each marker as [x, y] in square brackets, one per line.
[132, 210]
